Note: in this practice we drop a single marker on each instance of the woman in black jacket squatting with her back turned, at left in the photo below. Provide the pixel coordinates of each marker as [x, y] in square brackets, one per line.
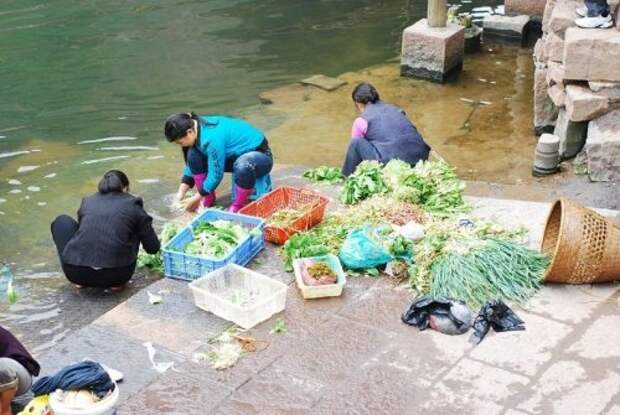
[101, 248]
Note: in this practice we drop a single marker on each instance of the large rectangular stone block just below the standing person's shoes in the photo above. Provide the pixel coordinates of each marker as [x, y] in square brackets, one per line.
[592, 54]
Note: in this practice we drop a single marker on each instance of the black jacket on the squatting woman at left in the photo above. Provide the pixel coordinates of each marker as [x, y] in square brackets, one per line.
[111, 228]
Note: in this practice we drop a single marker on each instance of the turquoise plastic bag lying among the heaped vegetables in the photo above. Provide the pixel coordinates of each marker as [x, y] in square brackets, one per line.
[360, 251]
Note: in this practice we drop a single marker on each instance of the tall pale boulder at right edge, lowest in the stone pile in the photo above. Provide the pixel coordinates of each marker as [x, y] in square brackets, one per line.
[602, 147]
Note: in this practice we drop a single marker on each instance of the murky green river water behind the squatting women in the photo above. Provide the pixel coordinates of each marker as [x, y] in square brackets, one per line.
[73, 71]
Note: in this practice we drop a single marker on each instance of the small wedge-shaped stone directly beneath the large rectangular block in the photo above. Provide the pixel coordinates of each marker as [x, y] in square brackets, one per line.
[583, 104]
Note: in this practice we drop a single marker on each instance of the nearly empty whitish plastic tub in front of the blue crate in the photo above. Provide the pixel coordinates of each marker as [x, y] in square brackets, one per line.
[240, 295]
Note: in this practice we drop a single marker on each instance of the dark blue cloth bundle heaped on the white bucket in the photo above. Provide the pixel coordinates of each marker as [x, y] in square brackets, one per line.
[83, 375]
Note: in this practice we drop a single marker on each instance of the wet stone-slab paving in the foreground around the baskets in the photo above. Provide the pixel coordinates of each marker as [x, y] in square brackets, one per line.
[353, 355]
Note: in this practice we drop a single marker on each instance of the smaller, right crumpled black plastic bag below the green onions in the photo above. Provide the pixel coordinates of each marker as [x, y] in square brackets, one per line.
[497, 315]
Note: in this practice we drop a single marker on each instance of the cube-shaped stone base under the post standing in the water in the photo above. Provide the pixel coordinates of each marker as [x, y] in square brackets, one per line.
[433, 53]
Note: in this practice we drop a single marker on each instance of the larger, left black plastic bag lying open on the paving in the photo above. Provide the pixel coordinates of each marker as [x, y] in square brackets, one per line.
[441, 314]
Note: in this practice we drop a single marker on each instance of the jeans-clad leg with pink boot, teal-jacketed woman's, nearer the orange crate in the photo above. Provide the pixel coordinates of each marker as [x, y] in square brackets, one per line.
[246, 168]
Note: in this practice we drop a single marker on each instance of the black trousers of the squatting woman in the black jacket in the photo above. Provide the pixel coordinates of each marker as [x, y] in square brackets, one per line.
[63, 229]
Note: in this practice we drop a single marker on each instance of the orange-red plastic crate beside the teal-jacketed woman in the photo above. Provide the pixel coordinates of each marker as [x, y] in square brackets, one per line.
[287, 197]
